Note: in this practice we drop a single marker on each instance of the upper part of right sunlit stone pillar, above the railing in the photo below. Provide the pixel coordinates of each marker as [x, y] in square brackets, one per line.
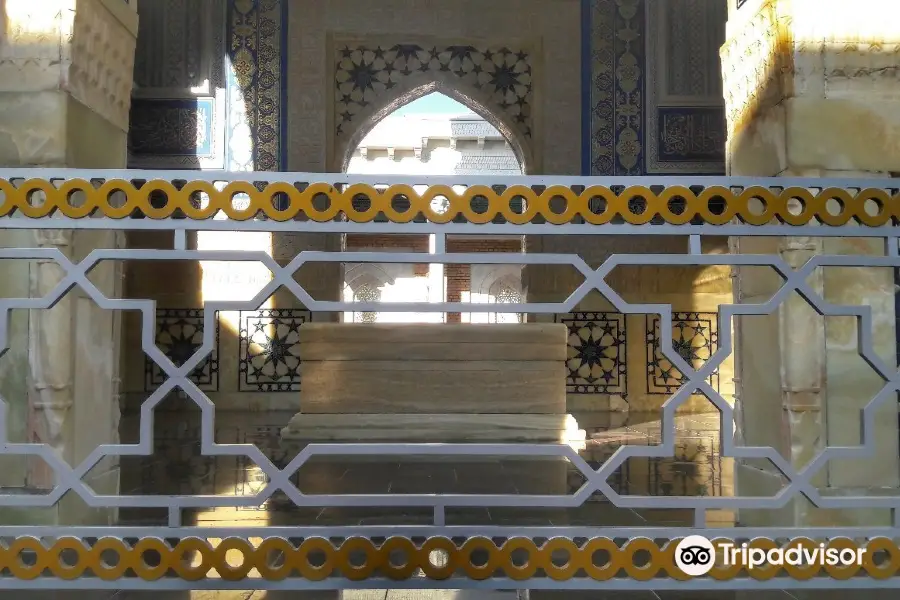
[789, 67]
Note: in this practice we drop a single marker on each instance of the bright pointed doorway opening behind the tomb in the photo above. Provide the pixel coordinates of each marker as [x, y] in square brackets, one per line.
[432, 135]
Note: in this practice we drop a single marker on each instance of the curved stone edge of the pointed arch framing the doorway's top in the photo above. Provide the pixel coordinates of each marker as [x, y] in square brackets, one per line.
[412, 90]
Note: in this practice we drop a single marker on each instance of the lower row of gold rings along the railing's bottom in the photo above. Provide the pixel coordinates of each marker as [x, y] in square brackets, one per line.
[359, 558]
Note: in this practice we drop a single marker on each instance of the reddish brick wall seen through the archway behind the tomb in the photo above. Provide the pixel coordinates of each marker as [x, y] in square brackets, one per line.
[458, 276]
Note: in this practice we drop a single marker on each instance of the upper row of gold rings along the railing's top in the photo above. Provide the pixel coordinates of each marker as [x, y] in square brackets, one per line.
[757, 205]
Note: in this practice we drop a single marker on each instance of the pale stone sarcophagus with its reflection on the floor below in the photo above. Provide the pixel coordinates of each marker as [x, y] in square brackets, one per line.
[437, 383]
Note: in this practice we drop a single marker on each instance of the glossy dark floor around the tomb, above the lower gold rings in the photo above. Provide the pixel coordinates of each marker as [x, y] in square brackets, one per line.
[177, 467]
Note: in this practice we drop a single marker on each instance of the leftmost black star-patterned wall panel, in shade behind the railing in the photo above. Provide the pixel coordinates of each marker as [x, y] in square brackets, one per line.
[179, 334]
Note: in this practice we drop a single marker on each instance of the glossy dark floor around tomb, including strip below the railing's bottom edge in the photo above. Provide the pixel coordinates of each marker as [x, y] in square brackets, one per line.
[177, 467]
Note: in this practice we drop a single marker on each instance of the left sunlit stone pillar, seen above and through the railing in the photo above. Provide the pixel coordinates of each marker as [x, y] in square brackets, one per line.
[65, 87]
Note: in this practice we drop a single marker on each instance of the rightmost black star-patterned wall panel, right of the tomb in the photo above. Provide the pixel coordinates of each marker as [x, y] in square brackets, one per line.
[695, 338]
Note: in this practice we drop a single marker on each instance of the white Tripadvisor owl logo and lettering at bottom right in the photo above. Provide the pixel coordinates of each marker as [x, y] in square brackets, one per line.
[695, 555]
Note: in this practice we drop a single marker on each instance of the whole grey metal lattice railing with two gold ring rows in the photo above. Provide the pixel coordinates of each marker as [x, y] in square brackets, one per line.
[450, 542]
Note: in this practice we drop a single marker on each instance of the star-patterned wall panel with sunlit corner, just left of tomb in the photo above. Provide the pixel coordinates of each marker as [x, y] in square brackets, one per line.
[269, 358]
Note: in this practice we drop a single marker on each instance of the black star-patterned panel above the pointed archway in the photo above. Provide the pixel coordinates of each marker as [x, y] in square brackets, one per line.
[365, 73]
